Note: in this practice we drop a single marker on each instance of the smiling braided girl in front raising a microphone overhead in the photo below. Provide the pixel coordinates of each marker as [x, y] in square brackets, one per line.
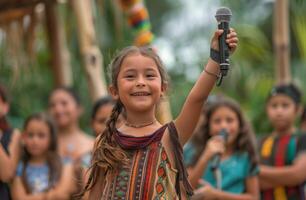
[142, 158]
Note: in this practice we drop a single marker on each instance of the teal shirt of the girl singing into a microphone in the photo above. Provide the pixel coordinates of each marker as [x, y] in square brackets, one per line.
[234, 170]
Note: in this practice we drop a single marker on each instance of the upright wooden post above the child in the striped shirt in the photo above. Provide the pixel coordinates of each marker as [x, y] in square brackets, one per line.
[281, 41]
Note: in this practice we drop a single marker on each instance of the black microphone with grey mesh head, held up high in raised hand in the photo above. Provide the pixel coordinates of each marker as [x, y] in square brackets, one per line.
[223, 16]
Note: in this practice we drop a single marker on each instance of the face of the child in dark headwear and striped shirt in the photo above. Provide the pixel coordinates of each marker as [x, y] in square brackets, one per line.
[281, 111]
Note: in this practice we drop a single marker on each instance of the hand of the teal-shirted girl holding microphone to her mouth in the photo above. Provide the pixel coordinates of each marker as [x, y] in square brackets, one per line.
[215, 145]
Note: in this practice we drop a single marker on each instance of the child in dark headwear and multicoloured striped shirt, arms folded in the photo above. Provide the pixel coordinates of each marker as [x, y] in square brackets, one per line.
[283, 160]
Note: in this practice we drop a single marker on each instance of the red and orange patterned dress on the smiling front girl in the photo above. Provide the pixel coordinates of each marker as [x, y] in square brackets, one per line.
[149, 174]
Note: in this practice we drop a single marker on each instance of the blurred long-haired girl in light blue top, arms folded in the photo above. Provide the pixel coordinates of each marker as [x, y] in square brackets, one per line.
[40, 173]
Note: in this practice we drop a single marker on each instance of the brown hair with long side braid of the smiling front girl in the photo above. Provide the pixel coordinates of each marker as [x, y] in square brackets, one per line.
[108, 156]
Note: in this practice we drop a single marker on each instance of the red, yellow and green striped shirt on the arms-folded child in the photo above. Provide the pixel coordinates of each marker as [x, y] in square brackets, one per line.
[278, 152]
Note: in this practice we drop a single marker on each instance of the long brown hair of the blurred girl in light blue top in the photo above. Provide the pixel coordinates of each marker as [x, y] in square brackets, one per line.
[53, 159]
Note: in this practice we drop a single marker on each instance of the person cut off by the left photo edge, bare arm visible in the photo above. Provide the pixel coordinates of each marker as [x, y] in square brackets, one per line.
[9, 147]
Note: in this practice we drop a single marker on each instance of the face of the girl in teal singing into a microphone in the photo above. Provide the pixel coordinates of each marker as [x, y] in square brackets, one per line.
[224, 118]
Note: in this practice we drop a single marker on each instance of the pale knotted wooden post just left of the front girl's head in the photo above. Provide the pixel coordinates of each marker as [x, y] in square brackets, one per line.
[90, 52]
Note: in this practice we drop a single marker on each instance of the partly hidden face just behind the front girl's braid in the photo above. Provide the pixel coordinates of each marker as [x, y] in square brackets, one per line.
[101, 117]
